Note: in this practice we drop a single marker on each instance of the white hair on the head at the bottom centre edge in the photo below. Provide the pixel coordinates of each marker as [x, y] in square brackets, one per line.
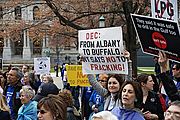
[104, 115]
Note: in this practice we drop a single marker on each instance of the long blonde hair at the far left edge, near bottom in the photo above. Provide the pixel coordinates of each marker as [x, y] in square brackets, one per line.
[3, 103]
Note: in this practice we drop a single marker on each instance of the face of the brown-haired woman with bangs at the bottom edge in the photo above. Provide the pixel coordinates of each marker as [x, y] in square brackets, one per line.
[44, 114]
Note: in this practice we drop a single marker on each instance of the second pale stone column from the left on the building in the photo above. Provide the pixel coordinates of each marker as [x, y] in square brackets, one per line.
[26, 47]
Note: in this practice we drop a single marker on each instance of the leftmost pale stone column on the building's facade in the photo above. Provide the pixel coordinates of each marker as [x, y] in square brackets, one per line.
[7, 49]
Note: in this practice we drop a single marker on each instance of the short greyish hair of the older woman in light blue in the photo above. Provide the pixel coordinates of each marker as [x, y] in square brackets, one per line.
[28, 91]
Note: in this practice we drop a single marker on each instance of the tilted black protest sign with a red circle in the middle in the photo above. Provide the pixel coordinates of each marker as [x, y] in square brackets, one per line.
[158, 35]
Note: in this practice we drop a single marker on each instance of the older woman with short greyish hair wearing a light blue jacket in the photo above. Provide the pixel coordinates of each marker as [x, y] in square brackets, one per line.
[28, 111]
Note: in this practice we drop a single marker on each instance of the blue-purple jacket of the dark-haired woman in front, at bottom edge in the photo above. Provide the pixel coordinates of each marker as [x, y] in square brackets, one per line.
[127, 114]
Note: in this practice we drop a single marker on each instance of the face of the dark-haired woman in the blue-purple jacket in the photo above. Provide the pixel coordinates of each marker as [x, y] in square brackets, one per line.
[128, 96]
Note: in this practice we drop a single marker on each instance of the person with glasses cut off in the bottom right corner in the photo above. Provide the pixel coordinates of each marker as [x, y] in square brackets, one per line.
[173, 112]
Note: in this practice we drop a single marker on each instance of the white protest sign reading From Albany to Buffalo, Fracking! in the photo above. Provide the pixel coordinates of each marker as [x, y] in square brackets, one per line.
[102, 51]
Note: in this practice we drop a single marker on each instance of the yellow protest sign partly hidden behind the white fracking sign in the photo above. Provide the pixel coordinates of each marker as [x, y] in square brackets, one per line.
[75, 76]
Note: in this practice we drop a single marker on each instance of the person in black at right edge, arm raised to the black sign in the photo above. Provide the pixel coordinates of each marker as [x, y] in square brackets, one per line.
[172, 88]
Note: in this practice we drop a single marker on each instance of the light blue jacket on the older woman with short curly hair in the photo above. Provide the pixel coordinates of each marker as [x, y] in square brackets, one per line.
[28, 111]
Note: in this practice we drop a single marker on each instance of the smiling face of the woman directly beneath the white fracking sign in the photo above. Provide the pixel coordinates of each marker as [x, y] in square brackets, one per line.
[113, 85]
